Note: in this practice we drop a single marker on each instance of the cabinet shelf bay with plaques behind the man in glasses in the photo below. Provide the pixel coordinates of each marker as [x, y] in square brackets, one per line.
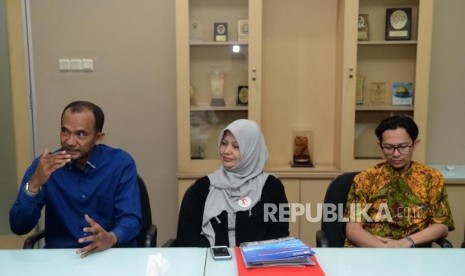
[381, 65]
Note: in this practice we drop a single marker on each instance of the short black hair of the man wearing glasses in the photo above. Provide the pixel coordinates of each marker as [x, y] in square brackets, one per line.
[395, 122]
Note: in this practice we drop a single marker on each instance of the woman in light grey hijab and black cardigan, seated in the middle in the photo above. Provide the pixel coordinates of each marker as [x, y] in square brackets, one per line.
[229, 206]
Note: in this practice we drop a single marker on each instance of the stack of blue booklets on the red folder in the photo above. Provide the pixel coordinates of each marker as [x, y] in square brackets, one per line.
[288, 251]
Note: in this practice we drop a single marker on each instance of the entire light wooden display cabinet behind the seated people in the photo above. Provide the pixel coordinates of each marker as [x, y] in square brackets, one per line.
[301, 72]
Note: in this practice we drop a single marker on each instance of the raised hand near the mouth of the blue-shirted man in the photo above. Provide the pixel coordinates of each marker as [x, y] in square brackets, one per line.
[48, 163]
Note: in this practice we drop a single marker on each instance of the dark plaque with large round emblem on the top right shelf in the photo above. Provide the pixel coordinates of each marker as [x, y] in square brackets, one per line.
[398, 23]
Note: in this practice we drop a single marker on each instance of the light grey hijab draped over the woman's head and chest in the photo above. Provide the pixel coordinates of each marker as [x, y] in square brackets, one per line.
[238, 188]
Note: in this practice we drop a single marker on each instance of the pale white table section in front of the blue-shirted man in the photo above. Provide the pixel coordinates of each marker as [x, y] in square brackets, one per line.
[112, 262]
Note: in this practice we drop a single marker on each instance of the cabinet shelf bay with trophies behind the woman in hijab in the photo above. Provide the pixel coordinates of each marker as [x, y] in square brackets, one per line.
[218, 67]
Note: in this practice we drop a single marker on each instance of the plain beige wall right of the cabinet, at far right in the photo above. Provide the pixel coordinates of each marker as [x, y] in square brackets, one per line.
[446, 116]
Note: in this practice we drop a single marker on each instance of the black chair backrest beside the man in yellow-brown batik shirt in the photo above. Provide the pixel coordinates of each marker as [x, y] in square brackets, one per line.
[336, 194]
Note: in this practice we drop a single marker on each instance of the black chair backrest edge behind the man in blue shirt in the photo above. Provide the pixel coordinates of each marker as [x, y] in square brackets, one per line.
[146, 215]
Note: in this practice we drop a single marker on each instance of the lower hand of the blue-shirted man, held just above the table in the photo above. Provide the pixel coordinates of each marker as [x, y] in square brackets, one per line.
[99, 239]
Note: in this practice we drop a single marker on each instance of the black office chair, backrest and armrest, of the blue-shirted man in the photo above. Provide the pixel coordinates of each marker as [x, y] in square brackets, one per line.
[147, 236]
